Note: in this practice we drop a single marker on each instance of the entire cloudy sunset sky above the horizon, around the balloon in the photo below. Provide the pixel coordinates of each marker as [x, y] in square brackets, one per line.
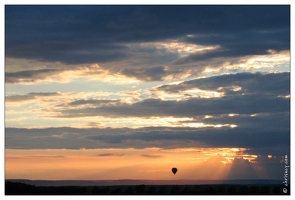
[106, 92]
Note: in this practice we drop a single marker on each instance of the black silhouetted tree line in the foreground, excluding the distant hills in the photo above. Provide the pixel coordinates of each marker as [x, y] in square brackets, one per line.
[16, 188]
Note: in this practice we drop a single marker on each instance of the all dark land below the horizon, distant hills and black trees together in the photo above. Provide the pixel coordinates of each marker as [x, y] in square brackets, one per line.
[146, 187]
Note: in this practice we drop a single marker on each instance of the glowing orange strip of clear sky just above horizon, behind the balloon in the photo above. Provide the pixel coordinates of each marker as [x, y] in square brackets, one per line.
[112, 164]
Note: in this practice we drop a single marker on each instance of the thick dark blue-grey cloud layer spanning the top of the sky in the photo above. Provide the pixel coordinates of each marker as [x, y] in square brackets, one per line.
[101, 34]
